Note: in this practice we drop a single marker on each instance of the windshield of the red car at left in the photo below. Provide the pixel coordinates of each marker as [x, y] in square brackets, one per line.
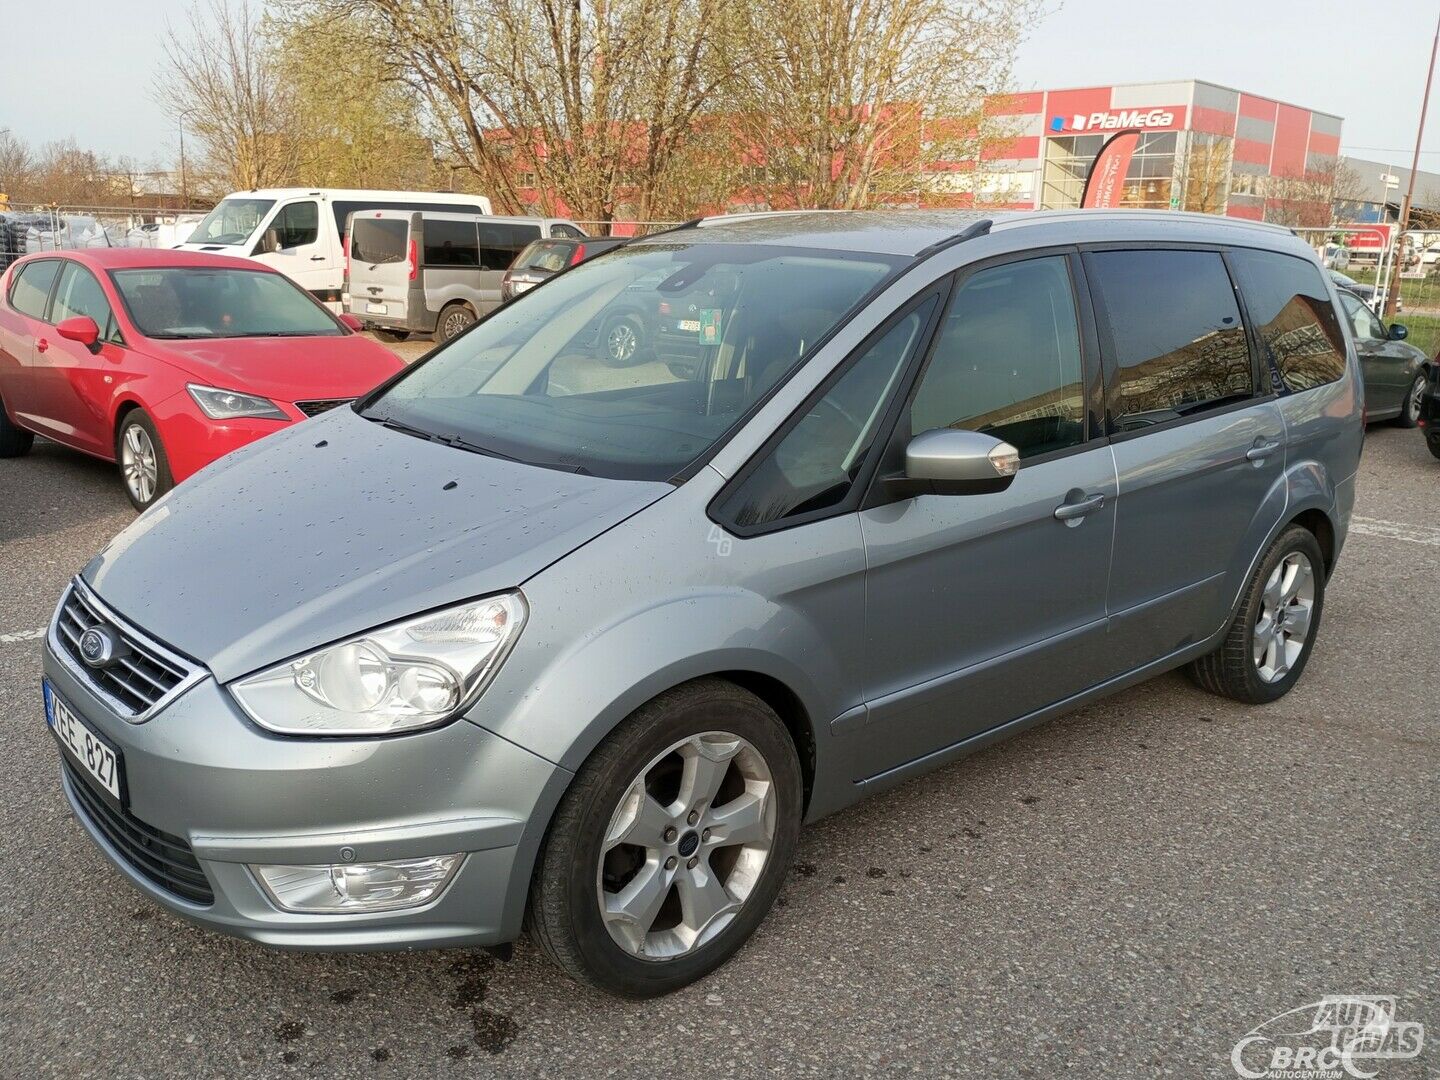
[205, 302]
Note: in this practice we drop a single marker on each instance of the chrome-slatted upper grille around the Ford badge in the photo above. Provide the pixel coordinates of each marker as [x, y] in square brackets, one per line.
[142, 678]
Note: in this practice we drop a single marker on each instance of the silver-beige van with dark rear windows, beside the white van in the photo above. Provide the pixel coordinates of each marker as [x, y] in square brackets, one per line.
[436, 273]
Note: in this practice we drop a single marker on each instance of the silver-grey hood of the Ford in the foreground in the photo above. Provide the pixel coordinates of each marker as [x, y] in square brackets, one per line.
[338, 526]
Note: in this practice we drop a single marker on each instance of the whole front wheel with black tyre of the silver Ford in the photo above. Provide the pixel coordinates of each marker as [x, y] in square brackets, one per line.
[672, 843]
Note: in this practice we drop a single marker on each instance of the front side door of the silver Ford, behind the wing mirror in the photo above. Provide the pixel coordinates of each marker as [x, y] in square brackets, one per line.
[981, 610]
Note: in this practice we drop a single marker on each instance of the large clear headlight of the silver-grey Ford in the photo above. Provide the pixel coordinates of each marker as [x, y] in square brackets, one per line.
[400, 679]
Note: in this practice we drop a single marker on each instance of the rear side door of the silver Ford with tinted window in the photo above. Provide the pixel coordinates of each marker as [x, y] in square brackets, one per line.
[1199, 446]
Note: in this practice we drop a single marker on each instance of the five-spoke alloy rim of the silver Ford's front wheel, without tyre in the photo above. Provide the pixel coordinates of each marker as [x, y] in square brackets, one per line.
[686, 846]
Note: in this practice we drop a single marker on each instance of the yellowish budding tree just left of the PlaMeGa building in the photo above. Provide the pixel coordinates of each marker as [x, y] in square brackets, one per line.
[852, 103]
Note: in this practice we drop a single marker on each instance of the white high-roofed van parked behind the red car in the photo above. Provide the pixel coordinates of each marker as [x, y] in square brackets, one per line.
[299, 230]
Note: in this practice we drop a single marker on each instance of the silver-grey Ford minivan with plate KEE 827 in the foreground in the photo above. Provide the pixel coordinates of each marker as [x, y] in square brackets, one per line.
[529, 640]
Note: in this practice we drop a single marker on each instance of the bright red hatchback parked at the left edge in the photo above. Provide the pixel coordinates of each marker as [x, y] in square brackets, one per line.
[166, 361]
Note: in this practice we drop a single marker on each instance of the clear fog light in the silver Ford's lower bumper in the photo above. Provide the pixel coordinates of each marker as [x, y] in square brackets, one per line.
[346, 888]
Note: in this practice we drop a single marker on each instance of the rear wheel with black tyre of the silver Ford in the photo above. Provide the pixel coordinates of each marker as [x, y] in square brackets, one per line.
[1271, 640]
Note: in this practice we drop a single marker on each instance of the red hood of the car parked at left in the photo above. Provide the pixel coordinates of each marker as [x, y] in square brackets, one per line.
[287, 369]
